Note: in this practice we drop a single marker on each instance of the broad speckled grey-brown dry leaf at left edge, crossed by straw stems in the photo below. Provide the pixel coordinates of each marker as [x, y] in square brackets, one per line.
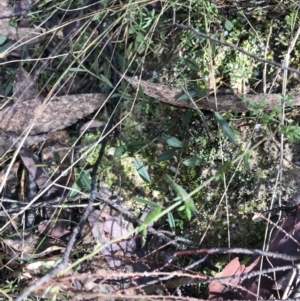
[57, 114]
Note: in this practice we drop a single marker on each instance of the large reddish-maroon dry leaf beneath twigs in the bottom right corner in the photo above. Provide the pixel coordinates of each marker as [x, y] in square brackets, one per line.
[286, 241]
